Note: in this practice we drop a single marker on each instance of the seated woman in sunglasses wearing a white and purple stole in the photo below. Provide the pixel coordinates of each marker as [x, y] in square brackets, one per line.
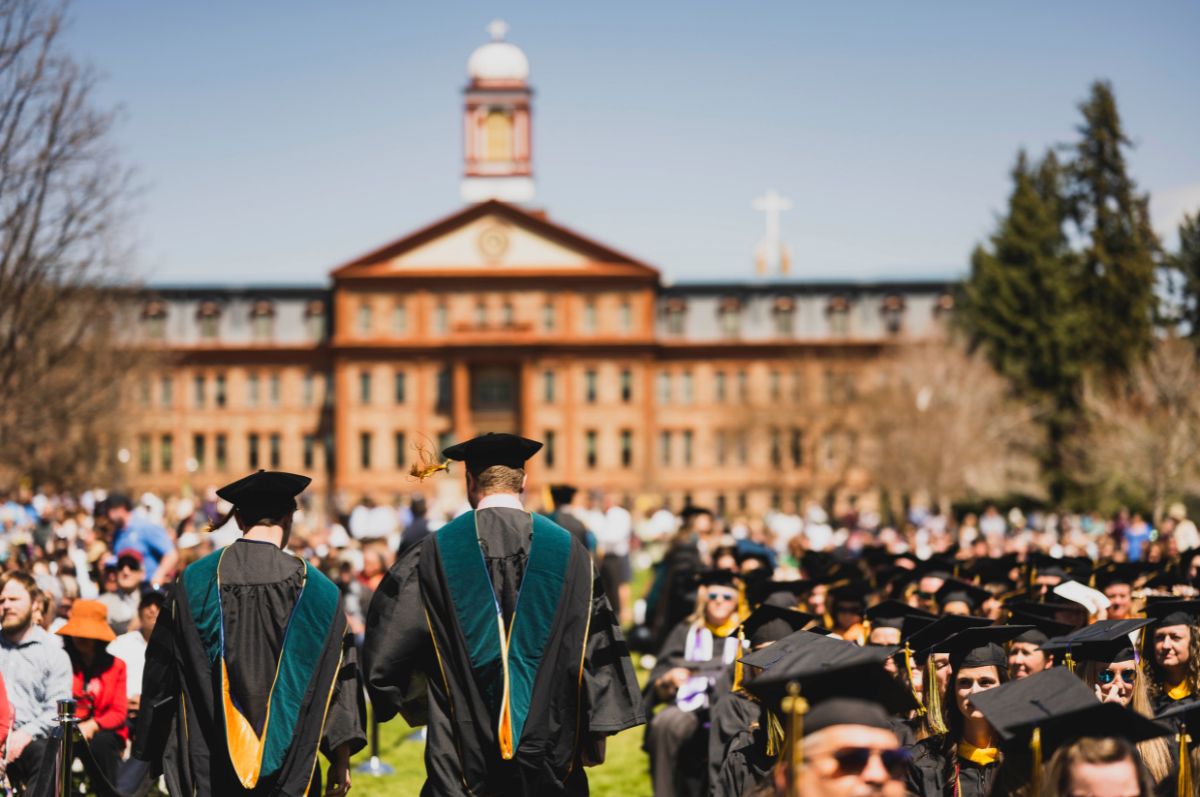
[693, 658]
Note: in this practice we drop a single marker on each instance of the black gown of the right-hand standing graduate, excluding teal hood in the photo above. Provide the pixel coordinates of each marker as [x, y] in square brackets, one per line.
[437, 687]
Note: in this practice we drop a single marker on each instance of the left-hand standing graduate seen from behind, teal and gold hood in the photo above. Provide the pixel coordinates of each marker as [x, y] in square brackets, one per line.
[250, 672]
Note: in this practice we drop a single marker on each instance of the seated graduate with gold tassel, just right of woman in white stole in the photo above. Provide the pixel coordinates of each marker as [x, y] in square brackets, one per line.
[745, 741]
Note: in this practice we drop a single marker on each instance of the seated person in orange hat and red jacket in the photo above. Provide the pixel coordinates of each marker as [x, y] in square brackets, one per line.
[99, 687]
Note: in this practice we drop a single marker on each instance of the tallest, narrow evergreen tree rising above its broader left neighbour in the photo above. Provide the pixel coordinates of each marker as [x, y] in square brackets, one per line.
[1118, 263]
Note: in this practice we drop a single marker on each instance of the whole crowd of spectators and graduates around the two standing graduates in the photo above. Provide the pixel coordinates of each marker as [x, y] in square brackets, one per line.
[890, 632]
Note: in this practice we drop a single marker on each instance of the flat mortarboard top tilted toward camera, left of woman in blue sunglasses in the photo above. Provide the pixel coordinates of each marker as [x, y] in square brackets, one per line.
[1029, 703]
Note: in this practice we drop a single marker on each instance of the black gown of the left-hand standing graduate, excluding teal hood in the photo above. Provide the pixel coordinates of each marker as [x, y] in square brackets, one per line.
[260, 585]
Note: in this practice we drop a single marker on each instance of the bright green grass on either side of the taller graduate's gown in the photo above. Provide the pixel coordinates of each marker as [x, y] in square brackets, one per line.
[623, 775]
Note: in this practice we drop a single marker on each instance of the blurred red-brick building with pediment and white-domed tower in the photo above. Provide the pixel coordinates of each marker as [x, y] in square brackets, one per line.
[500, 319]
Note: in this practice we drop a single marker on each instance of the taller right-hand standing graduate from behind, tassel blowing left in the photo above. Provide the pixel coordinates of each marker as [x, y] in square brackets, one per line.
[496, 634]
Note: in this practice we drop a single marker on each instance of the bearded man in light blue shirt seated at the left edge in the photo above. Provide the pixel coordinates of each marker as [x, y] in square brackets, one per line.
[38, 675]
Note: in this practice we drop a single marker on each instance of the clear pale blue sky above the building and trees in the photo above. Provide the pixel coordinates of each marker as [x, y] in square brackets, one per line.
[274, 141]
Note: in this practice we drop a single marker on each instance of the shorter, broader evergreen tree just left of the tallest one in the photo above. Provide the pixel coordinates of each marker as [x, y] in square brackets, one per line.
[1021, 305]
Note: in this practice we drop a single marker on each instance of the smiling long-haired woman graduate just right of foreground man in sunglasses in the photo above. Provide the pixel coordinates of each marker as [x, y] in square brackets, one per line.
[964, 758]
